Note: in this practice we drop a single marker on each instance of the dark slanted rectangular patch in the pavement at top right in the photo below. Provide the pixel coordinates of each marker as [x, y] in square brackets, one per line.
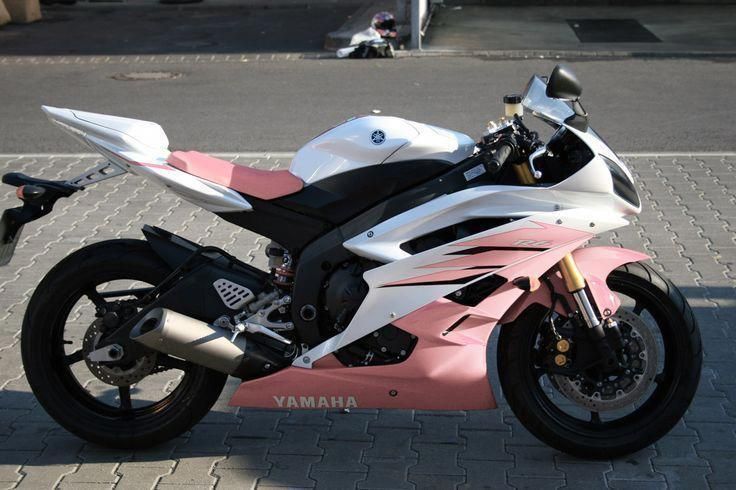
[611, 31]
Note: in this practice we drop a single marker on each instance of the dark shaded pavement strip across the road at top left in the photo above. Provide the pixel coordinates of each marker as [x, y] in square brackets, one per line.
[144, 27]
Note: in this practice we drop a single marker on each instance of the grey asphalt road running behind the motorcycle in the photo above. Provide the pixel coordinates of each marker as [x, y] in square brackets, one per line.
[637, 105]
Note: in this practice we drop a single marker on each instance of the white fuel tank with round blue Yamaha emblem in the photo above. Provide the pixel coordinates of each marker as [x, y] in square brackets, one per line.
[374, 140]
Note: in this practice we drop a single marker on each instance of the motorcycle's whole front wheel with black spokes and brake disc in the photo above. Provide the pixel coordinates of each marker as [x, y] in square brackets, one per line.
[592, 413]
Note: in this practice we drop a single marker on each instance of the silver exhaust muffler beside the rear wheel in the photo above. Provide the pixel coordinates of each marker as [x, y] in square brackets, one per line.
[195, 341]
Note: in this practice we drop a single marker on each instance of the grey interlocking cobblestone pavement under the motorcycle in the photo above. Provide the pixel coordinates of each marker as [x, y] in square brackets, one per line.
[688, 225]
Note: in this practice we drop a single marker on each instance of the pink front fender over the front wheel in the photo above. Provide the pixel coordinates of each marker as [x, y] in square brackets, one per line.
[595, 263]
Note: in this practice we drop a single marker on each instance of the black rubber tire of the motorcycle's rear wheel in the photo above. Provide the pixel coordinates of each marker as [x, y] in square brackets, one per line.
[48, 366]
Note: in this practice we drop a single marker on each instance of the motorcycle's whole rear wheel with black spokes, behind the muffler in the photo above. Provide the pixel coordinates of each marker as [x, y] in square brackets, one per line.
[145, 401]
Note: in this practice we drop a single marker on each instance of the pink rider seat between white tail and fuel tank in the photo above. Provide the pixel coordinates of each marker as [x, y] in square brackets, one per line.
[263, 184]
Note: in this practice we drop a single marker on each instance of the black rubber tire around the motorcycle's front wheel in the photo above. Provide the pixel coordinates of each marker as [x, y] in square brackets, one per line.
[651, 418]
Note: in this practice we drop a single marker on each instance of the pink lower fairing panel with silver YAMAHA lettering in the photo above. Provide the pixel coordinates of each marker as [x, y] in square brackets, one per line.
[445, 372]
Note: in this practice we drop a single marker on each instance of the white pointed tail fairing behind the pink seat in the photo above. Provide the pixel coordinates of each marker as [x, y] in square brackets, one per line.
[141, 147]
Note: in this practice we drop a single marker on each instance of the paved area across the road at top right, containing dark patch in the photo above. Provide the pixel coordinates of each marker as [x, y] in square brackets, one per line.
[653, 30]
